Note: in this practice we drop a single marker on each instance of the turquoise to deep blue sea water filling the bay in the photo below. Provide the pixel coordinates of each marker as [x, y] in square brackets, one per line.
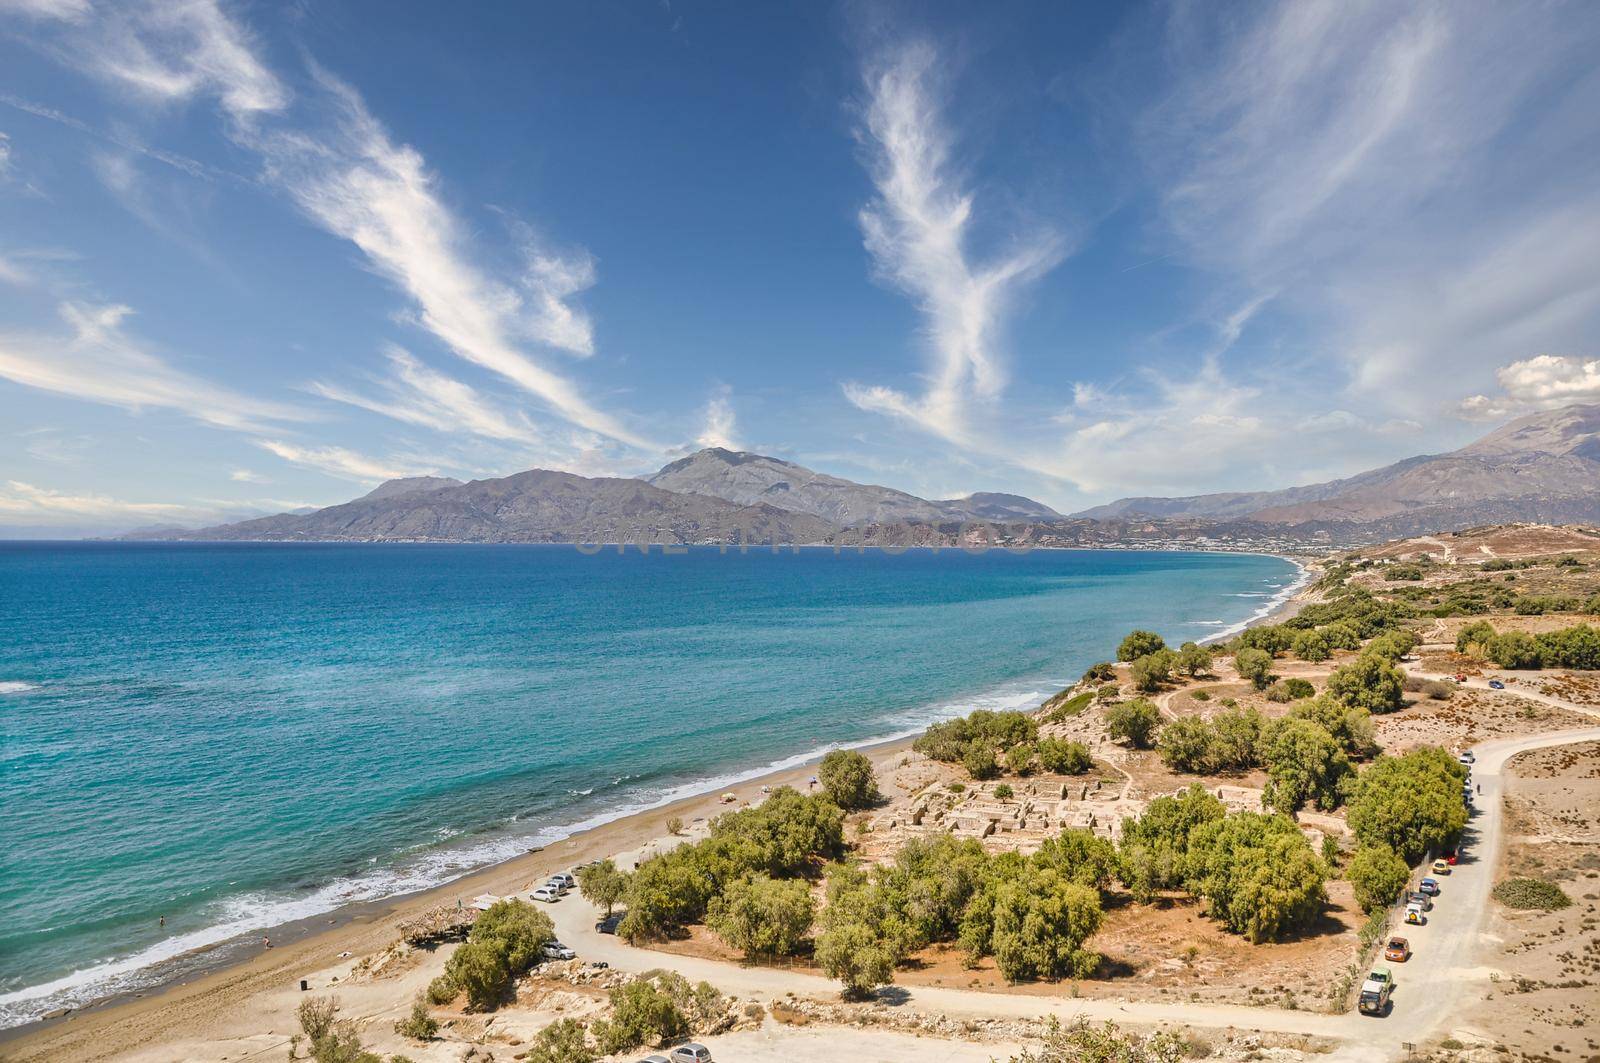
[239, 736]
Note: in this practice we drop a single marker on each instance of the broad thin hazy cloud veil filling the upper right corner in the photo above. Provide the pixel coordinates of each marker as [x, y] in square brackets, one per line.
[1414, 182]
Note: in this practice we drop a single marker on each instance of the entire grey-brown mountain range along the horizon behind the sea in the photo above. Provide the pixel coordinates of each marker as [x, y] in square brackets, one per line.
[1545, 467]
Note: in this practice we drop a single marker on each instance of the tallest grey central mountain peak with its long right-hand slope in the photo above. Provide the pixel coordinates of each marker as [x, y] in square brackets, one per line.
[748, 479]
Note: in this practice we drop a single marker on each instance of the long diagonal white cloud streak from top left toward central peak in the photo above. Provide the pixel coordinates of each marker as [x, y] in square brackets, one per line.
[337, 162]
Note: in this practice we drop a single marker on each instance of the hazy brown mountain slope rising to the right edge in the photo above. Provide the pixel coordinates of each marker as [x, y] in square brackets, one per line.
[1545, 467]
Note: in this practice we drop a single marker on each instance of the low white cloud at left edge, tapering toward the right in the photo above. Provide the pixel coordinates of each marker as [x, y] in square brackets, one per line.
[100, 363]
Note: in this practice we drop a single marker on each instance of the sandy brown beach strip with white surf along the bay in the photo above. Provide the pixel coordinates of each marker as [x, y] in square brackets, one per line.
[321, 941]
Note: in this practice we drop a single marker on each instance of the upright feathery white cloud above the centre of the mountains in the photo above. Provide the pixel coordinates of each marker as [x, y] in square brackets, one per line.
[918, 231]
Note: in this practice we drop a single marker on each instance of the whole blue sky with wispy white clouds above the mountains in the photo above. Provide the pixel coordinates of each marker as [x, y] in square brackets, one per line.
[260, 257]
